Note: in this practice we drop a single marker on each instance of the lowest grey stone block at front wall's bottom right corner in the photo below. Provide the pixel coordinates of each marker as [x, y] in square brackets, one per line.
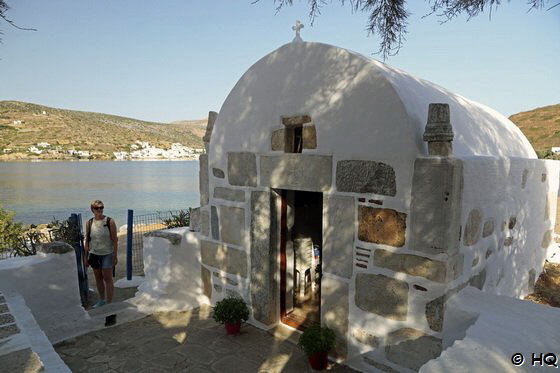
[412, 348]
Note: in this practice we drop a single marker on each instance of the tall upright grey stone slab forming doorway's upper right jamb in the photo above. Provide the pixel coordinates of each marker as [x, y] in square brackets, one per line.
[338, 235]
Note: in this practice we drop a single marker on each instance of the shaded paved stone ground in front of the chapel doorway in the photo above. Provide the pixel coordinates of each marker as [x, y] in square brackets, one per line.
[189, 341]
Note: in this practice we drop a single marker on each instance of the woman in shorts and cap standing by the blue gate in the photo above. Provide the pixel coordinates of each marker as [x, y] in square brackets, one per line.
[101, 251]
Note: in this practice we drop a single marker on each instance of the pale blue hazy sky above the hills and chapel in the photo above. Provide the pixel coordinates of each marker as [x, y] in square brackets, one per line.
[170, 60]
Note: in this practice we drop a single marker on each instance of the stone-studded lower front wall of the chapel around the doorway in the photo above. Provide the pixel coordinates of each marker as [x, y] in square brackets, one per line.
[367, 245]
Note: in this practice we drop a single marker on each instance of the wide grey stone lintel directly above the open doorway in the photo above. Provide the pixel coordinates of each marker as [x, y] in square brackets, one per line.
[306, 172]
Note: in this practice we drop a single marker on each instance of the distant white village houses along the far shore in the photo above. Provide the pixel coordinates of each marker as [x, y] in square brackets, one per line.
[139, 150]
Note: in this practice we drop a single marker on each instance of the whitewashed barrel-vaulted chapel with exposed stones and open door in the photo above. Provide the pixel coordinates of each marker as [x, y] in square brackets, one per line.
[339, 190]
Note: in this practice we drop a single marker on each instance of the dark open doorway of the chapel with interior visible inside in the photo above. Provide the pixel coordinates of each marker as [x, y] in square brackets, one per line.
[300, 257]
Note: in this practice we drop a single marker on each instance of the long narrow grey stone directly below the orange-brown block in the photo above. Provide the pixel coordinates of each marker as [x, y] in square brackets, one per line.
[411, 264]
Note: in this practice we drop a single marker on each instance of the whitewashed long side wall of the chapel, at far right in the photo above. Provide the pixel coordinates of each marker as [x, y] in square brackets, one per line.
[502, 188]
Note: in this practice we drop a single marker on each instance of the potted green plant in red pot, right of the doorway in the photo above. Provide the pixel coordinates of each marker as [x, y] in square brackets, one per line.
[316, 342]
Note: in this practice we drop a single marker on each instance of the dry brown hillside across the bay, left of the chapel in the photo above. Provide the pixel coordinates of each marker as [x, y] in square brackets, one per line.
[23, 125]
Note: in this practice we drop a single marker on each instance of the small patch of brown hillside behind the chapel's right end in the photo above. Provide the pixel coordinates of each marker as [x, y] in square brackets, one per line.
[541, 126]
